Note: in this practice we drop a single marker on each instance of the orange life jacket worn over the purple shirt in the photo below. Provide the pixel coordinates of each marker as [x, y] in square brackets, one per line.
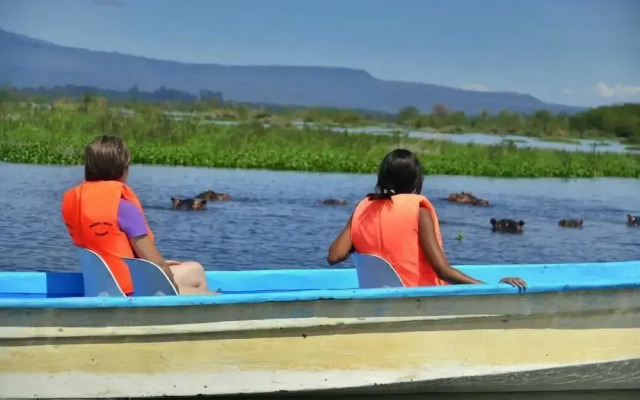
[90, 212]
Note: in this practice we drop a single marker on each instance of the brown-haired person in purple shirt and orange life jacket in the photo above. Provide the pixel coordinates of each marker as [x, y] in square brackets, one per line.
[104, 215]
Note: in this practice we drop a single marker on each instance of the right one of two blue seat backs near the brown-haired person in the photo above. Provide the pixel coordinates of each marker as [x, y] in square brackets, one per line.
[149, 279]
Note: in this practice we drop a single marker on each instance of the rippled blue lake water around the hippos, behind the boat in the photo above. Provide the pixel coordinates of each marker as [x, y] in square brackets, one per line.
[274, 219]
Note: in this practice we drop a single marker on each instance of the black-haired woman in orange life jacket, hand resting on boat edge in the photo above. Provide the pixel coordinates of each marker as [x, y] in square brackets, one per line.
[400, 225]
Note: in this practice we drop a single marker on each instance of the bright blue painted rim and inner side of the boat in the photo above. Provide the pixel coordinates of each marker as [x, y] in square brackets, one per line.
[57, 297]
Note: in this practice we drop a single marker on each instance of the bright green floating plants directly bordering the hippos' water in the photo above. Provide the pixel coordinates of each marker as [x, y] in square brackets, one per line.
[59, 137]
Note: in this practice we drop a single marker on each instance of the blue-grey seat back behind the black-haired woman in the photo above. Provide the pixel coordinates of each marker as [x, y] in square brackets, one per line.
[375, 272]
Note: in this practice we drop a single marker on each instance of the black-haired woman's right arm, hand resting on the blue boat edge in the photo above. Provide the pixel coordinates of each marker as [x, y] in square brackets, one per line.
[429, 242]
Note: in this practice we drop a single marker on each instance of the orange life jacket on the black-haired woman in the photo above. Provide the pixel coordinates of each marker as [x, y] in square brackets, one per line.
[389, 229]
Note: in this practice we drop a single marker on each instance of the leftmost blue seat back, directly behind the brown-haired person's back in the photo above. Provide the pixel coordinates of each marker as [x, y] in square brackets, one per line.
[97, 277]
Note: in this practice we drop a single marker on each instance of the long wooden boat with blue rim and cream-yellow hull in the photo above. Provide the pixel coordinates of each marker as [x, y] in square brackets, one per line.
[273, 331]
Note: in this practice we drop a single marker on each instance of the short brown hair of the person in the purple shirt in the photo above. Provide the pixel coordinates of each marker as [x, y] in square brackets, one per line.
[106, 159]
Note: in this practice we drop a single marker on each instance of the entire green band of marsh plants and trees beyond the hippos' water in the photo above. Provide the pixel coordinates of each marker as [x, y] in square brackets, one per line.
[56, 131]
